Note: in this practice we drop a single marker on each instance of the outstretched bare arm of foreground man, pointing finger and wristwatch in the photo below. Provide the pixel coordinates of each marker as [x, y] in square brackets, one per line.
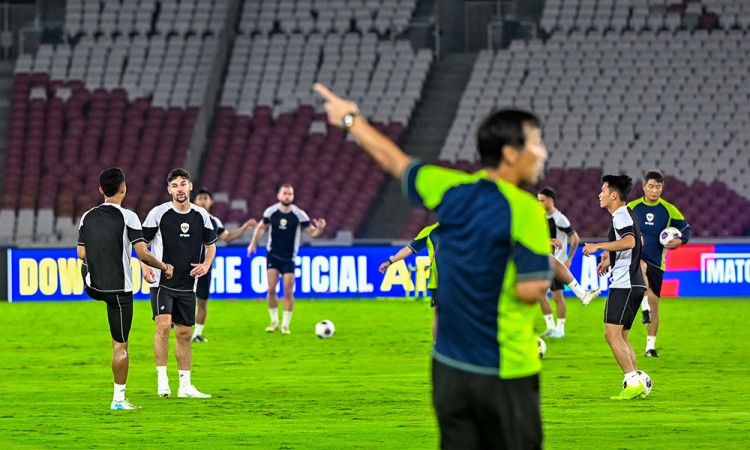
[384, 151]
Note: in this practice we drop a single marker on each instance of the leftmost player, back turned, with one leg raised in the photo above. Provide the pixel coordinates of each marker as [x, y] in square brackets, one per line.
[106, 236]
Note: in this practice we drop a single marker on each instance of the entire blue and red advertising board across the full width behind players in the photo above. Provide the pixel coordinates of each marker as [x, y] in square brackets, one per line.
[352, 272]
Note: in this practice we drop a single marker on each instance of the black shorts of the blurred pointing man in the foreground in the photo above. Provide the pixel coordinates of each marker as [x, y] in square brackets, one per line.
[485, 411]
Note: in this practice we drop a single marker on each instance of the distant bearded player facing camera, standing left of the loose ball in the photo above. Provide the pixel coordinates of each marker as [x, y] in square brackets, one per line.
[285, 220]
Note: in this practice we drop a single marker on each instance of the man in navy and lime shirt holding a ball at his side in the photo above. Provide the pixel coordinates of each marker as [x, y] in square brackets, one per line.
[655, 214]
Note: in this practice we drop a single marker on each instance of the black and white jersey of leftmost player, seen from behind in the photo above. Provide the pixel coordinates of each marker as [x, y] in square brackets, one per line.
[108, 232]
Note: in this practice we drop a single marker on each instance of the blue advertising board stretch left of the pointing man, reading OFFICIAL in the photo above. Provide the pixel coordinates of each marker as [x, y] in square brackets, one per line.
[321, 272]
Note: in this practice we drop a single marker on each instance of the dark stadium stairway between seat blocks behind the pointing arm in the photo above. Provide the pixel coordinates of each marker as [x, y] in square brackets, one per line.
[425, 136]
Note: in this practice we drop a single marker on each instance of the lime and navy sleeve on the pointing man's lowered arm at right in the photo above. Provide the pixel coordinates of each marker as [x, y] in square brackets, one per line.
[531, 238]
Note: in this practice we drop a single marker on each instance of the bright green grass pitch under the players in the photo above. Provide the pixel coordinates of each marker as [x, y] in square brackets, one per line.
[367, 387]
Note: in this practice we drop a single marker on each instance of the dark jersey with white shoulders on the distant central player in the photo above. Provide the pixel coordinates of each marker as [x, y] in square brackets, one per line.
[283, 241]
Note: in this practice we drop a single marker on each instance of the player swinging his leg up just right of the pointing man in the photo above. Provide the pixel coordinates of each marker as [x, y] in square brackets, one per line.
[562, 234]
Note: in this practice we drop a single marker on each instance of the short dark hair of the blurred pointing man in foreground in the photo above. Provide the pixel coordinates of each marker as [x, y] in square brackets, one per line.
[500, 128]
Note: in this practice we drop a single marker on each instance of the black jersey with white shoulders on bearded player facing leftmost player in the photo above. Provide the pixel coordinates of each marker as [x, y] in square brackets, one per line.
[177, 238]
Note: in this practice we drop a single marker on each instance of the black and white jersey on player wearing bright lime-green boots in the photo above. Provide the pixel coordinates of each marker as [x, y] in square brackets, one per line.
[626, 264]
